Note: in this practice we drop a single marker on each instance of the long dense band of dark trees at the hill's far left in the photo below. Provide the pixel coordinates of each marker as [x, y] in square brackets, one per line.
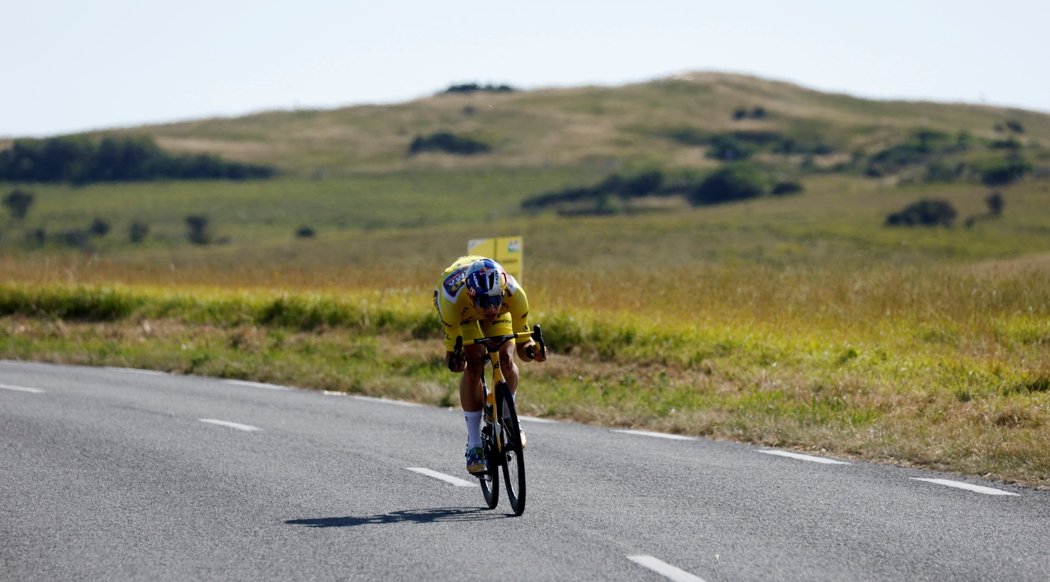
[81, 160]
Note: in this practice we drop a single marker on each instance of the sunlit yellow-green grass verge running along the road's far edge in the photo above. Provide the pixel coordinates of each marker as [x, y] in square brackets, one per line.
[932, 399]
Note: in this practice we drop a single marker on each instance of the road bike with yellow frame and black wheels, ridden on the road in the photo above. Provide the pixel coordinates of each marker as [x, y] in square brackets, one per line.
[501, 433]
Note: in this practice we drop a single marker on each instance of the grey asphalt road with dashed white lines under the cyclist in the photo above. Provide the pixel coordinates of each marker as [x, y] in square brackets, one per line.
[124, 475]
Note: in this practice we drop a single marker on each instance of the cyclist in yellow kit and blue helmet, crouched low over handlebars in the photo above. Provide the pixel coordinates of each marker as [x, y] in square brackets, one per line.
[476, 298]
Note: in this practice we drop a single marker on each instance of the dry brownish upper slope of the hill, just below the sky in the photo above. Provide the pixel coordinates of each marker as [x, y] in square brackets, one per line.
[585, 127]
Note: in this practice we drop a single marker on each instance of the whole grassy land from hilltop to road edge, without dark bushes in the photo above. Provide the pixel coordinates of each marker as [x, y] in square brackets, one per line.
[799, 322]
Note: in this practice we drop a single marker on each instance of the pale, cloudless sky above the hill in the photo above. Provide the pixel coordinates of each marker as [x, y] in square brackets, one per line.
[73, 66]
